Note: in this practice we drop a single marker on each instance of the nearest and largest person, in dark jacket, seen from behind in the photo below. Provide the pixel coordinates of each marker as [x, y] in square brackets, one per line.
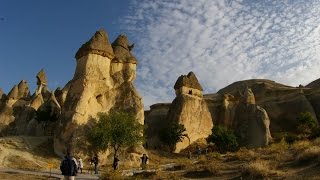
[68, 167]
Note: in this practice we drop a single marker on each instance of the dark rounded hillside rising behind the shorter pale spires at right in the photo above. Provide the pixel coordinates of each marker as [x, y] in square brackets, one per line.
[282, 103]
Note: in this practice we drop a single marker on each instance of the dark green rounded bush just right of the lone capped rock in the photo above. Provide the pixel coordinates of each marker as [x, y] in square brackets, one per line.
[224, 139]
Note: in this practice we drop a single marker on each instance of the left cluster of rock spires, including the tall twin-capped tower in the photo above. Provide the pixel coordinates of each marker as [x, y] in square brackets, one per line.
[103, 81]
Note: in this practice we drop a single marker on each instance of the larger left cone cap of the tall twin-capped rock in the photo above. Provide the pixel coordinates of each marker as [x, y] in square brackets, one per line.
[98, 44]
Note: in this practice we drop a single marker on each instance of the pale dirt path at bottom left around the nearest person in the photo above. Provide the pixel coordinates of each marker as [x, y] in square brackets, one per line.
[54, 173]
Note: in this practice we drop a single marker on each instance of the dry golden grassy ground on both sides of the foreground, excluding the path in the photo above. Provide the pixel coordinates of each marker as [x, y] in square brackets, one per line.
[300, 160]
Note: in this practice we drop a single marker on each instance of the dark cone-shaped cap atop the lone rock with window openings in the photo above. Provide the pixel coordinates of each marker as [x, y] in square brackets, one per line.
[189, 80]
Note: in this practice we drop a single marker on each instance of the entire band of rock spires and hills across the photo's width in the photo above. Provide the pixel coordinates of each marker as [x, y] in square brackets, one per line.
[103, 81]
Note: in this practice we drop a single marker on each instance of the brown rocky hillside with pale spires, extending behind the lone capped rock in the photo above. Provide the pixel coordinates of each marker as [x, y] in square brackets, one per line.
[252, 107]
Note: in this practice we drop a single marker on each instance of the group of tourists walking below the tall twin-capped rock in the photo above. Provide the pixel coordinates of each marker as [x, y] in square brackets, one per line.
[70, 166]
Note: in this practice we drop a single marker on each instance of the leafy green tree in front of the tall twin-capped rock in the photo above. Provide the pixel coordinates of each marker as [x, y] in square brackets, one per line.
[116, 130]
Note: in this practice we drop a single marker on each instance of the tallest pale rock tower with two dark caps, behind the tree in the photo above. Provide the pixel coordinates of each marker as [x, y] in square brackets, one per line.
[103, 81]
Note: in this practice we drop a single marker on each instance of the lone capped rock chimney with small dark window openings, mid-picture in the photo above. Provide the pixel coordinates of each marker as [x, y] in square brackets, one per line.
[190, 109]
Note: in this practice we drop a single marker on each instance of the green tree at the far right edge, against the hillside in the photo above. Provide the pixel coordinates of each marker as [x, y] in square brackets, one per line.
[306, 123]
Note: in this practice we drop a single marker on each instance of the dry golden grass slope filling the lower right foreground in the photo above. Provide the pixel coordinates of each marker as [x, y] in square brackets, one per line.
[300, 160]
